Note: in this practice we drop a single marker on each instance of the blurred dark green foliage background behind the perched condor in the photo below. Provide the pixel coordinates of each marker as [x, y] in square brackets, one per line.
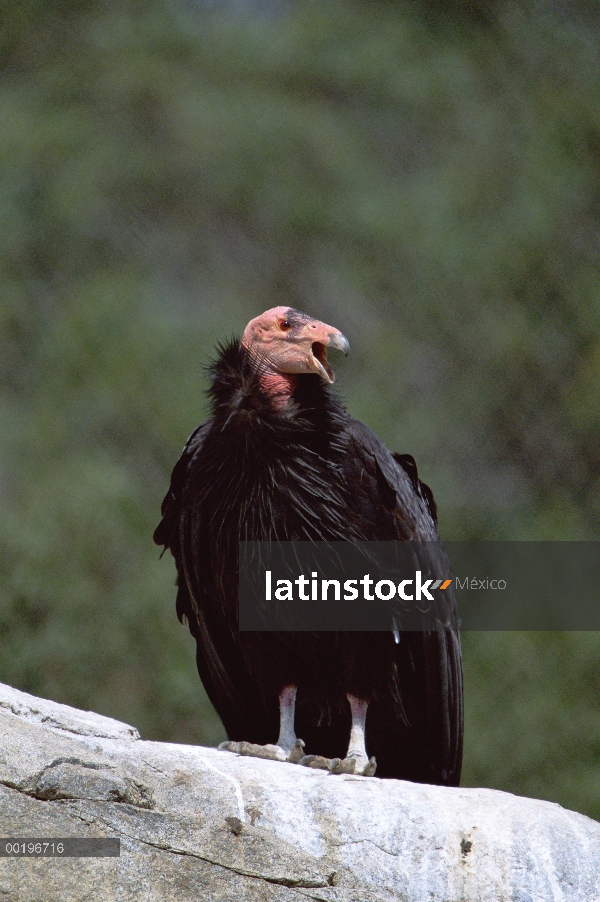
[426, 177]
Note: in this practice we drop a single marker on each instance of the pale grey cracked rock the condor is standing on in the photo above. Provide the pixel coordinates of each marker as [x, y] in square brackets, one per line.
[199, 824]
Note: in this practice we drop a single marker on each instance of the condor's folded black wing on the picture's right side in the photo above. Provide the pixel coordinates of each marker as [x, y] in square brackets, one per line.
[424, 742]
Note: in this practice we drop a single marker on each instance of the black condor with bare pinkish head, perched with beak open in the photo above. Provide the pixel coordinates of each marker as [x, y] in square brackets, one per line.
[281, 459]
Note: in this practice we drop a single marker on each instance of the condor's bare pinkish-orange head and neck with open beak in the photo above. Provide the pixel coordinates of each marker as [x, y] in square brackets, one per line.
[287, 343]
